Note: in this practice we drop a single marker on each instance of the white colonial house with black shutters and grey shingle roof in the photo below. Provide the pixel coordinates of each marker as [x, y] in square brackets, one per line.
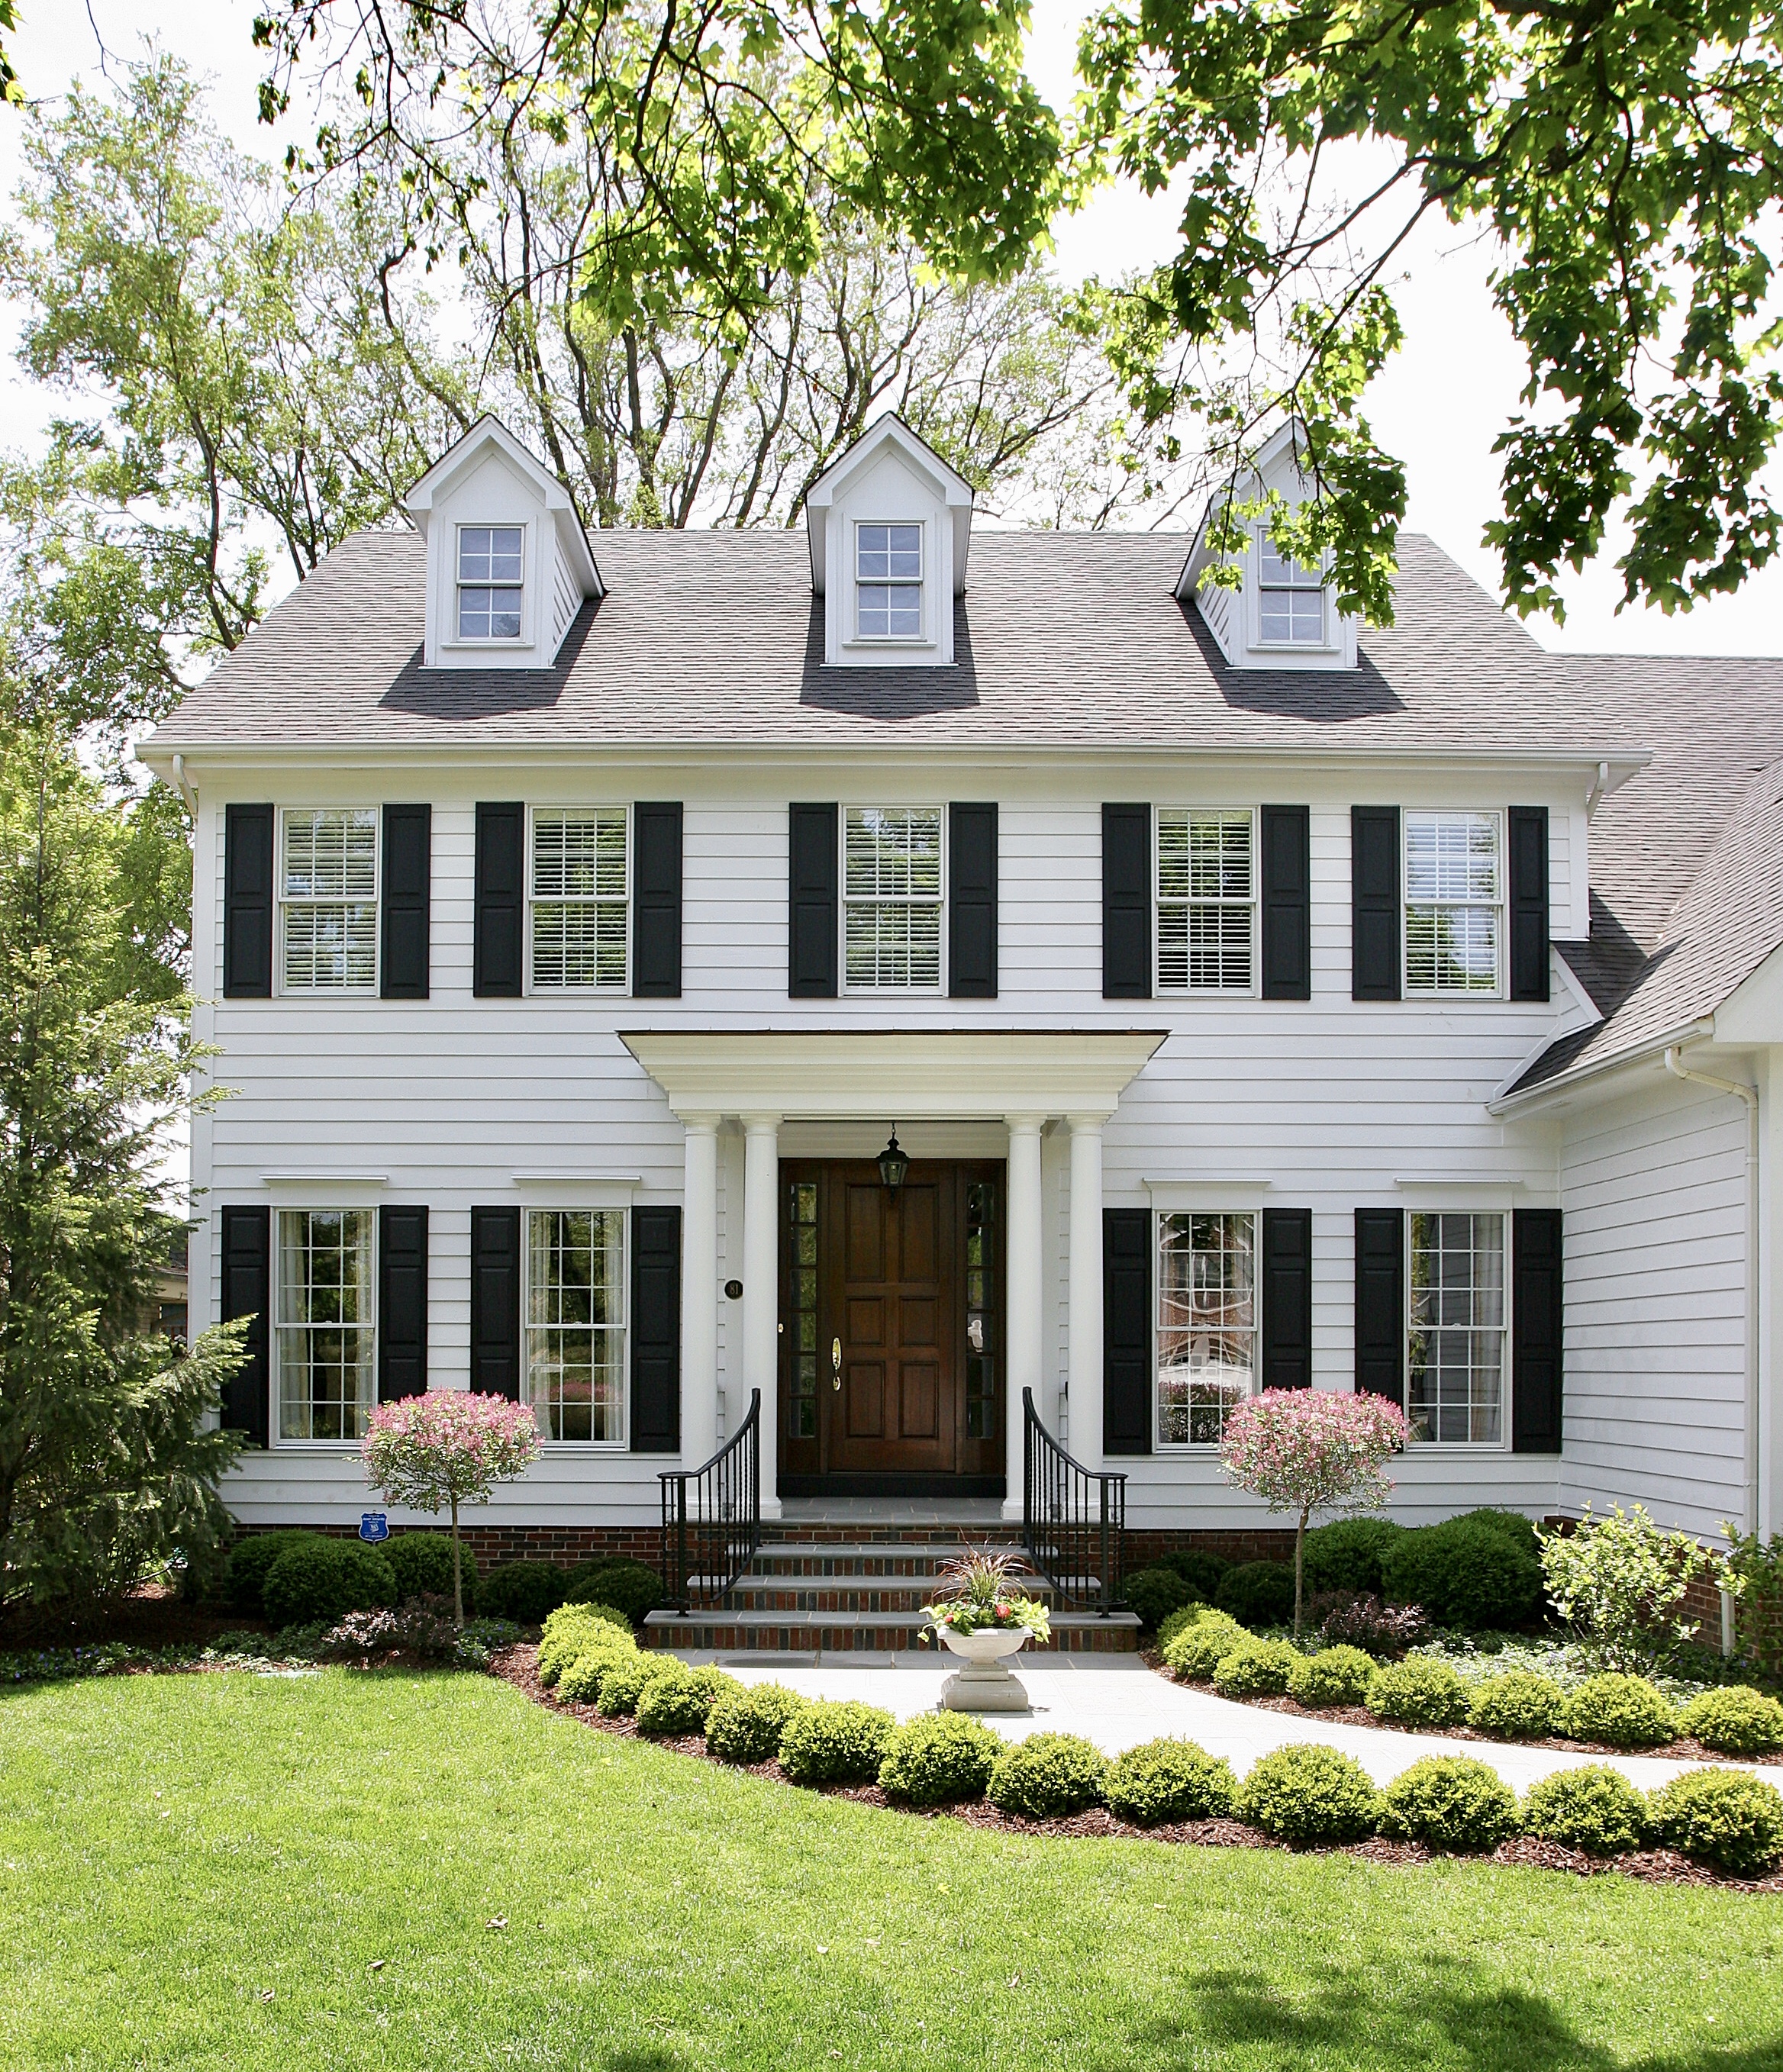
[1260, 1000]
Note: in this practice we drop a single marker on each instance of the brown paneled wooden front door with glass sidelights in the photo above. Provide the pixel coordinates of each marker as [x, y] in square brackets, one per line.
[890, 1329]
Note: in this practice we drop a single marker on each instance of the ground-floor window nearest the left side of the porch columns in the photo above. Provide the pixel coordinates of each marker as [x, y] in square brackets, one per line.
[577, 1323]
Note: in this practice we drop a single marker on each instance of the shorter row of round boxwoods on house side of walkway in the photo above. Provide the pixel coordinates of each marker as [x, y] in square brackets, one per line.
[1622, 1713]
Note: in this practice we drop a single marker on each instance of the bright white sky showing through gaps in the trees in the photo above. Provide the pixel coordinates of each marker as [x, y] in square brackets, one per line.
[1440, 403]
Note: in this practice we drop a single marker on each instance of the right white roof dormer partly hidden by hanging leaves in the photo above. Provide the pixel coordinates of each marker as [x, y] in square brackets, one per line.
[1284, 616]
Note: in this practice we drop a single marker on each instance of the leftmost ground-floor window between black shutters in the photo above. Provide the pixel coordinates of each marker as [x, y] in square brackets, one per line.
[324, 1325]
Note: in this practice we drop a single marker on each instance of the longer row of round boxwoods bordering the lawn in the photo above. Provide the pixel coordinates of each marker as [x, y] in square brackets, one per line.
[1303, 1795]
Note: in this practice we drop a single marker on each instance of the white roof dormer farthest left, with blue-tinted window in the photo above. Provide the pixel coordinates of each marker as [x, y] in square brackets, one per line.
[509, 565]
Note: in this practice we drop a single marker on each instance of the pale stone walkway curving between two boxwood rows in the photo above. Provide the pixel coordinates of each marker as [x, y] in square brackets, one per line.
[1116, 1702]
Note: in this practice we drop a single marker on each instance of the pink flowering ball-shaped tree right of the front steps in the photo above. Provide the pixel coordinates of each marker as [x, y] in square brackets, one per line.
[1305, 1449]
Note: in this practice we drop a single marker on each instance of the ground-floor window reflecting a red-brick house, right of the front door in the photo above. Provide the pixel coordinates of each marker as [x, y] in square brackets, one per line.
[1206, 1325]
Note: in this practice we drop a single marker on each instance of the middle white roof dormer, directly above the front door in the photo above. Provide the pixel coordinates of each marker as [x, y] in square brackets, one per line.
[888, 527]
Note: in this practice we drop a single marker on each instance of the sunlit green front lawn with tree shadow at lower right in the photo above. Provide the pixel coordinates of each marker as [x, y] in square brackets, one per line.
[204, 1870]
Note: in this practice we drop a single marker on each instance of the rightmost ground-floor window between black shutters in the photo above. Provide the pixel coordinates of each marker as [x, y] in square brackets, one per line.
[1456, 1329]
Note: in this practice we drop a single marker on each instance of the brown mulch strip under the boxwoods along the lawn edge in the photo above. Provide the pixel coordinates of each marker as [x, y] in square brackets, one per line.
[519, 1667]
